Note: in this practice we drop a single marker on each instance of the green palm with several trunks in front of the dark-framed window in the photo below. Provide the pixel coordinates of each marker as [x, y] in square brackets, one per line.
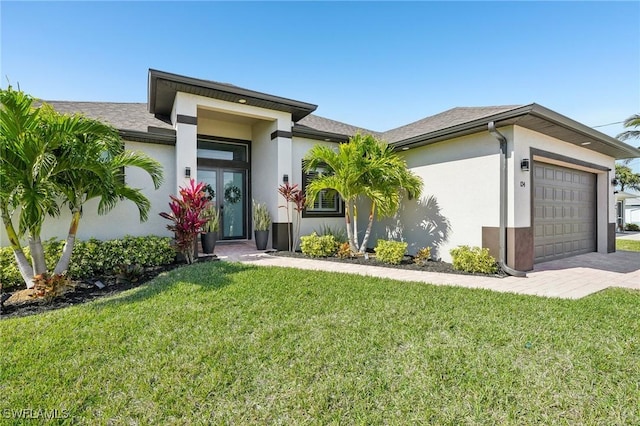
[364, 167]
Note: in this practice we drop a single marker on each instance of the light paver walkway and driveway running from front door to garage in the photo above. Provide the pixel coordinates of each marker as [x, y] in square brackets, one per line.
[570, 278]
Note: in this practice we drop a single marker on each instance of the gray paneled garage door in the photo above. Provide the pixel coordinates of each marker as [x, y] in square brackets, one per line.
[564, 212]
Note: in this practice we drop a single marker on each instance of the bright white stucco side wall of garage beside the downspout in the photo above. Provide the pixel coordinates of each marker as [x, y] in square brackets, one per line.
[461, 189]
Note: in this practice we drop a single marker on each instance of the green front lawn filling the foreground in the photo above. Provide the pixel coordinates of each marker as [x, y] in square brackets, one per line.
[221, 343]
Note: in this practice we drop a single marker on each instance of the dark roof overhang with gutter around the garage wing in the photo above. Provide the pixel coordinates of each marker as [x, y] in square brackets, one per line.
[534, 117]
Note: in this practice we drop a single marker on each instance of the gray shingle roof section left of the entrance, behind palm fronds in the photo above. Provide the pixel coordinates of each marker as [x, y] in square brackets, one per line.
[123, 116]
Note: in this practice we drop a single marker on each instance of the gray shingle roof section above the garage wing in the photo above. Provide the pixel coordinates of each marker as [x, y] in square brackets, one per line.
[443, 120]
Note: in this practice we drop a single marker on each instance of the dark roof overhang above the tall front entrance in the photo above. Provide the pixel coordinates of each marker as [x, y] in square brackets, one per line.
[163, 87]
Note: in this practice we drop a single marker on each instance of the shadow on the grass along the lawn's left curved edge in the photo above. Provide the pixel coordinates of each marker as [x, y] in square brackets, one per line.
[209, 276]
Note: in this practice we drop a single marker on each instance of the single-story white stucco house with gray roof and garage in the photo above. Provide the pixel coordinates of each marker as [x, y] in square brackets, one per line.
[524, 181]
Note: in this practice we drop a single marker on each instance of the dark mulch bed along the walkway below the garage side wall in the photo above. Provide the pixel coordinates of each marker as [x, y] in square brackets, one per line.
[407, 263]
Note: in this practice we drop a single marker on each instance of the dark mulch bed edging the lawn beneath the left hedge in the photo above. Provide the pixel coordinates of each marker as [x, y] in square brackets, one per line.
[84, 291]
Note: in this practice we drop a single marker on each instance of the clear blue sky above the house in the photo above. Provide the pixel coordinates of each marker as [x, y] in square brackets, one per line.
[377, 65]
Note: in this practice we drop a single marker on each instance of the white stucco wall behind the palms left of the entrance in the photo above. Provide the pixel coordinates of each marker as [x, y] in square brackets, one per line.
[124, 219]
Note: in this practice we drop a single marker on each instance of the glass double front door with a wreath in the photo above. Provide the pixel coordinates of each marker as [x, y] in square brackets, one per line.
[229, 197]
